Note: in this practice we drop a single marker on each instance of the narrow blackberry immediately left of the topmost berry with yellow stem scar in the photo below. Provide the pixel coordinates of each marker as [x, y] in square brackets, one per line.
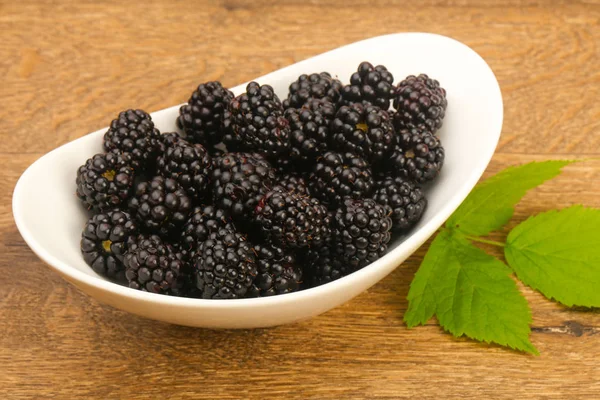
[309, 127]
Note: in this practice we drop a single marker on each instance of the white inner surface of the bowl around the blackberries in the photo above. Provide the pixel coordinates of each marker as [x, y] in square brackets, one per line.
[50, 217]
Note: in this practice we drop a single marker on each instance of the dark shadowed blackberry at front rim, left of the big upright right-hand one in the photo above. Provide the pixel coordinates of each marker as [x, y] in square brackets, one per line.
[323, 265]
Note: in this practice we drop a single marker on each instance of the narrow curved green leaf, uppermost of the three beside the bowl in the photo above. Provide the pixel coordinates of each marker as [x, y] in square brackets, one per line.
[491, 204]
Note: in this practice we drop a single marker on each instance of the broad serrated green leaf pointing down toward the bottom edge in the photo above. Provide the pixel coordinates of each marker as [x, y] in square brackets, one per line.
[471, 293]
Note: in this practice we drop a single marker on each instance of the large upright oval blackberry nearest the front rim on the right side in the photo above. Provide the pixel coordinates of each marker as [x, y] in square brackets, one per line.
[362, 229]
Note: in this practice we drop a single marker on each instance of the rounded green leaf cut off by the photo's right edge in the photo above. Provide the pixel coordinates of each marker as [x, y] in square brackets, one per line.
[558, 253]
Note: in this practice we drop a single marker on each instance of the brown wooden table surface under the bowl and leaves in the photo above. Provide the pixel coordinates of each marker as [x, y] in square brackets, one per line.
[70, 66]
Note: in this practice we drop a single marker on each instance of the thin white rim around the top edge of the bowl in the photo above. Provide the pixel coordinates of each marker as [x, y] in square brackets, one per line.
[414, 240]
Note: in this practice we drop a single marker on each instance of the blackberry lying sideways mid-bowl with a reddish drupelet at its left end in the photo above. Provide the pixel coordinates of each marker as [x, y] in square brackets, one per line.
[290, 220]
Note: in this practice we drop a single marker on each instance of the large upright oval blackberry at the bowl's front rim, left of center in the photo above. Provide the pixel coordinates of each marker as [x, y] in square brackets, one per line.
[225, 266]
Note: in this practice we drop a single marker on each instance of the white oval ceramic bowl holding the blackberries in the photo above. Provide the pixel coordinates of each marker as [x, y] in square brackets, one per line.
[50, 217]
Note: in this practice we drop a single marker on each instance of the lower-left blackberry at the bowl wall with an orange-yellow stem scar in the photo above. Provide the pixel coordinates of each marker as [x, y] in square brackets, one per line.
[104, 242]
